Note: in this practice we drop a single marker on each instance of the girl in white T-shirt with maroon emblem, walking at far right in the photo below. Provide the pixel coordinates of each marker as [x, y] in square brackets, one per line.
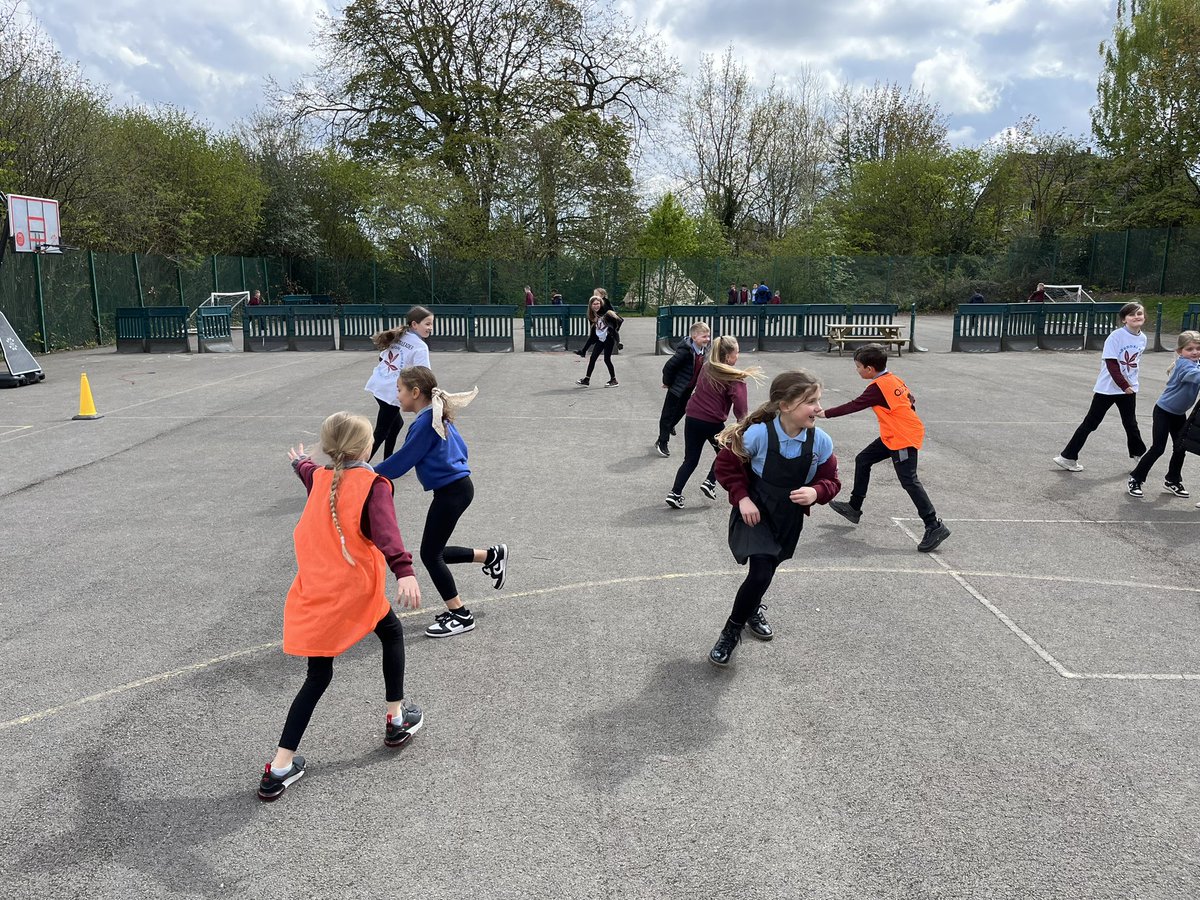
[1117, 386]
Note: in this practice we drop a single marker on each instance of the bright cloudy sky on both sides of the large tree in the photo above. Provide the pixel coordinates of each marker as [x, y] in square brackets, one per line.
[988, 63]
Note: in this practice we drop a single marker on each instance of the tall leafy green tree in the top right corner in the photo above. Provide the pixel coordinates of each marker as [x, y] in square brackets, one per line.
[1148, 112]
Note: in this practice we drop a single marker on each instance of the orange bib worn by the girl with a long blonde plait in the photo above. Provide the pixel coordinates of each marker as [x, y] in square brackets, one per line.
[333, 605]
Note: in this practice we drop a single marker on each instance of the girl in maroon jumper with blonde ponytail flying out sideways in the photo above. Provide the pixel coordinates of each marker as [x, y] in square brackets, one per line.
[719, 388]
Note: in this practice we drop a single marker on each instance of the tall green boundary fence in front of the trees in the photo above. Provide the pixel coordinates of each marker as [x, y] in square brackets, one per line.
[57, 302]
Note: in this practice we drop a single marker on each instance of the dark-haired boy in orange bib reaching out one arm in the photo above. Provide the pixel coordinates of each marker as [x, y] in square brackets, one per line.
[901, 437]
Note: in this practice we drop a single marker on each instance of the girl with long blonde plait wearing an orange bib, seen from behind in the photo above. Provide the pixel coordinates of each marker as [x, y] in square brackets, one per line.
[345, 543]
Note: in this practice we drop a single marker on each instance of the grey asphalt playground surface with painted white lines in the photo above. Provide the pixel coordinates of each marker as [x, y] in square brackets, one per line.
[1011, 717]
